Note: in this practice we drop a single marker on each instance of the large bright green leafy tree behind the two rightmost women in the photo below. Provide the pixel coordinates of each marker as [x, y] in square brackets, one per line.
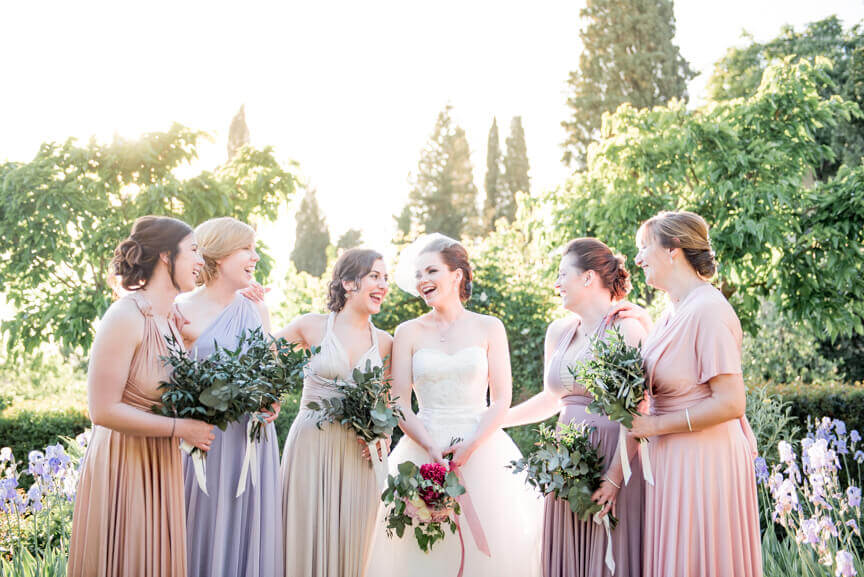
[743, 165]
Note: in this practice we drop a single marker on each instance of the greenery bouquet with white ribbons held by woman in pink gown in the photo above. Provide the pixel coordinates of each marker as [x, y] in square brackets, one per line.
[615, 377]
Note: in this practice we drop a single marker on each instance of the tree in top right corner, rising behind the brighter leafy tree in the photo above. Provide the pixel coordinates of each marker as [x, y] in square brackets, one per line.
[740, 71]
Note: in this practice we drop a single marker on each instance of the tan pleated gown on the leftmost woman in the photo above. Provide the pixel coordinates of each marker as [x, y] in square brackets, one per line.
[128, 519]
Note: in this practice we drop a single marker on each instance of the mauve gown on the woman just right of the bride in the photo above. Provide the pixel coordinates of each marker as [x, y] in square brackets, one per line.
[575, 548]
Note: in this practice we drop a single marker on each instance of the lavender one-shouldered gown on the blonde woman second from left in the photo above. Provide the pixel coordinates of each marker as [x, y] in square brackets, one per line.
[226, 535]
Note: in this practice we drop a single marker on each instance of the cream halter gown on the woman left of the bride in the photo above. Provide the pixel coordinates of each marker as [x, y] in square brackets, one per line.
[329, 494]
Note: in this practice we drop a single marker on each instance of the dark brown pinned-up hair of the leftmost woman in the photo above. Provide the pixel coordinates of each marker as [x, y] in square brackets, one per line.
[135, 258]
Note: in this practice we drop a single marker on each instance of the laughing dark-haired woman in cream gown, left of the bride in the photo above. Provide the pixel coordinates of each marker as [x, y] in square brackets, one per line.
[329, 494]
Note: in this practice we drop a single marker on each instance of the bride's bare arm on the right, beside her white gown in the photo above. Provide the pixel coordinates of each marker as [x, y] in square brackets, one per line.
[500, 394]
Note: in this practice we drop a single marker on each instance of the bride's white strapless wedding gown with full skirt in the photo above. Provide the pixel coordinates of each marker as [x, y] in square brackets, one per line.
[451, 392]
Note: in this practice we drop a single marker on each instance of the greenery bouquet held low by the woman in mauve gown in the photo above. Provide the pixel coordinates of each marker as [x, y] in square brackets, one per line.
[567, 465]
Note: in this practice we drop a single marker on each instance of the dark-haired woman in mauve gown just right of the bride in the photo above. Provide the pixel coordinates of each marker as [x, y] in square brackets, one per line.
[590, 280]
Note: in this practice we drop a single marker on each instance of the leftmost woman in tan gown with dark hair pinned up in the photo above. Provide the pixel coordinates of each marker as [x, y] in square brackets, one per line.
[128, 516]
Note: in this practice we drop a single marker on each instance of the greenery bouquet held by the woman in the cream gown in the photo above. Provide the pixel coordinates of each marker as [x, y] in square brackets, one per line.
[367, 407]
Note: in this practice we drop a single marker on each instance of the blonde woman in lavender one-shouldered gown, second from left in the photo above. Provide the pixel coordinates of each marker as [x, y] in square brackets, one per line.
[228, 536]
